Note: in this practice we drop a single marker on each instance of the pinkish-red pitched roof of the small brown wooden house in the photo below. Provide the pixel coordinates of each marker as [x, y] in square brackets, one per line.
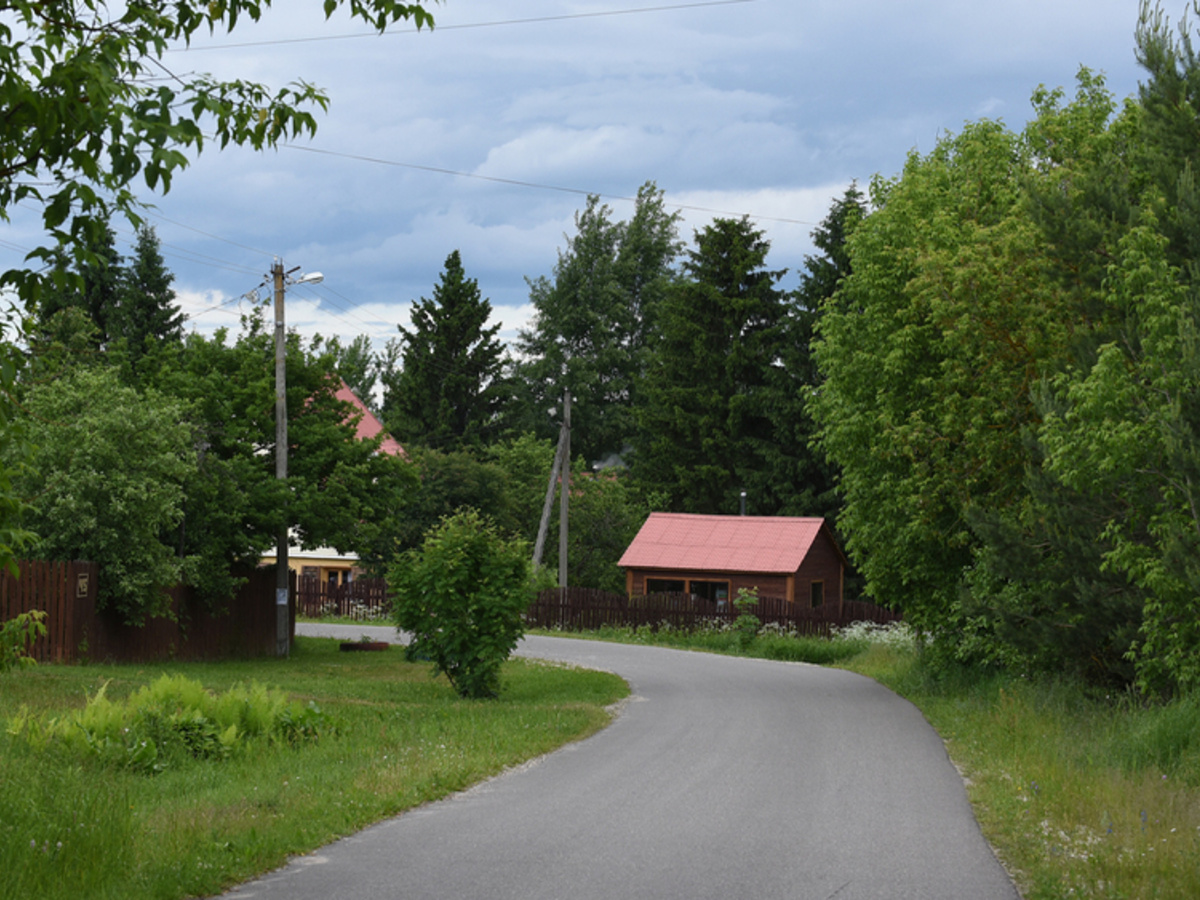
[730, 544]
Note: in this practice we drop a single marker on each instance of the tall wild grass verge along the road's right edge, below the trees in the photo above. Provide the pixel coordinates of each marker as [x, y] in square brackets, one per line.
[1082, 795]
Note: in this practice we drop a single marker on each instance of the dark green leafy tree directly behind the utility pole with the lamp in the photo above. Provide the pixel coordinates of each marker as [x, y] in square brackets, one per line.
[338, 489]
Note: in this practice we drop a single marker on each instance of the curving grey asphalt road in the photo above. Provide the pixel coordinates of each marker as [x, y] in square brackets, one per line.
[722, 778]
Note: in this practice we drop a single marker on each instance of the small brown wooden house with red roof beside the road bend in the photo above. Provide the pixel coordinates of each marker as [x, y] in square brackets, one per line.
[793, 559]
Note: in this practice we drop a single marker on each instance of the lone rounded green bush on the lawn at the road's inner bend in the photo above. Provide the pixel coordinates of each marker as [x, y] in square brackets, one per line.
[463, 598]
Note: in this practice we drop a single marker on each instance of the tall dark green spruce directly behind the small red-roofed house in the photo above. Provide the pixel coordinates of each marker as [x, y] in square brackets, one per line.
[705, 424]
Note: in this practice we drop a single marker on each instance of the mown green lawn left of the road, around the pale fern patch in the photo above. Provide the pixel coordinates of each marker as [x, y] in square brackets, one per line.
[74, 829]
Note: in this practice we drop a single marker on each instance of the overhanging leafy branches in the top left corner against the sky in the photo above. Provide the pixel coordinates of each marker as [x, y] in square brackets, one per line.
[88, 115]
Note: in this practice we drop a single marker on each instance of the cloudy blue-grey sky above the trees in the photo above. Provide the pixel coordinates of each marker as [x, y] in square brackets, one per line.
[487, 135]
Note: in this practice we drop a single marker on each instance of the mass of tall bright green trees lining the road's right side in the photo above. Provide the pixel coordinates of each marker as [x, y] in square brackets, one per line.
[1013, 383]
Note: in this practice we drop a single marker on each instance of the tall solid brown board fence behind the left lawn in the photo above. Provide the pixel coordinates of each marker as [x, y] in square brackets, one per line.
[77, 631]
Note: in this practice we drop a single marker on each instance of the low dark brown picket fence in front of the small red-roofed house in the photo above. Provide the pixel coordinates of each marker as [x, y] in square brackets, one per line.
[584, 610]
